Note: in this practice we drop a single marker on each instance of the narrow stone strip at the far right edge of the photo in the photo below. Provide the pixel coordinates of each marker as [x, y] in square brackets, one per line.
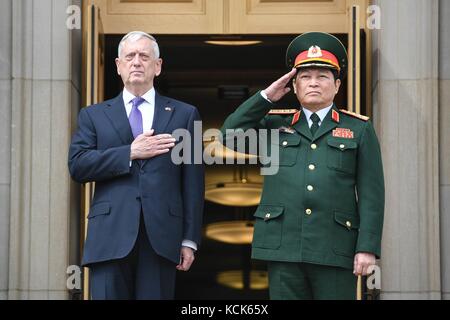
[444, 142]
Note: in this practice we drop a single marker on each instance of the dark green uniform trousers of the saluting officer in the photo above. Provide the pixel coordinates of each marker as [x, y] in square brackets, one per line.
[305, 281]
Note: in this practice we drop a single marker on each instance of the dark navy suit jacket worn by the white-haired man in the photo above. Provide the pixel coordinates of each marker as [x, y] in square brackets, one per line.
[170, 196]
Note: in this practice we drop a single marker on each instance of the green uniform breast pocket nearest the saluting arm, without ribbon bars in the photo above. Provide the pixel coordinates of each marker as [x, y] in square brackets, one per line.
[284, 151]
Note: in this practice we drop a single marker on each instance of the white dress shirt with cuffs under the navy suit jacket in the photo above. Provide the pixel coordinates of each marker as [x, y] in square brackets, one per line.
[147, 109]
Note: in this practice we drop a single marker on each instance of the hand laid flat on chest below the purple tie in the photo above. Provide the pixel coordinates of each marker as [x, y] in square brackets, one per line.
[147, 146]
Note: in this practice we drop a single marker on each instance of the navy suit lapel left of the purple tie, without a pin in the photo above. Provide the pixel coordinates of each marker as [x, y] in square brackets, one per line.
[117, 115]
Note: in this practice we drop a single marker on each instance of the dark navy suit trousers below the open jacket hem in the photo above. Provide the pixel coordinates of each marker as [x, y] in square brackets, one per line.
[142, 275]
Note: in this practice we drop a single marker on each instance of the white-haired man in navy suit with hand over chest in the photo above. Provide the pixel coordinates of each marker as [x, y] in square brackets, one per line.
[146, 214]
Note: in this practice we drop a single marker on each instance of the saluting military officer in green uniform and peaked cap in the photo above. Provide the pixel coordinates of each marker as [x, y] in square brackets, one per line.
[320, 219]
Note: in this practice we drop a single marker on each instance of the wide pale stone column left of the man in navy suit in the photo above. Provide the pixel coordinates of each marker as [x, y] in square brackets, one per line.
[45, 98]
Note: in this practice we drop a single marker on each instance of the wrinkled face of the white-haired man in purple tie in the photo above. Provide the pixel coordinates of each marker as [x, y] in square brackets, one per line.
[137, 65]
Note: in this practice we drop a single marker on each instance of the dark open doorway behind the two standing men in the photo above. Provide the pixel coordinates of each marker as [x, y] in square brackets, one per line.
[217, 79]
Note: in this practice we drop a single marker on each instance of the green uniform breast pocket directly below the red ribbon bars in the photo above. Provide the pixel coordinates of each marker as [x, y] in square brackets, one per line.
[341, 155]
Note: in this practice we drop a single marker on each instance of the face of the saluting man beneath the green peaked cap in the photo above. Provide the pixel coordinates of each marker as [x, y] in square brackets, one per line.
[316, 88]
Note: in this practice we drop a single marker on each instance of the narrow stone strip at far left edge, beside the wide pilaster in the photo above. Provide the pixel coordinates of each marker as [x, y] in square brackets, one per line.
[5, 141]
